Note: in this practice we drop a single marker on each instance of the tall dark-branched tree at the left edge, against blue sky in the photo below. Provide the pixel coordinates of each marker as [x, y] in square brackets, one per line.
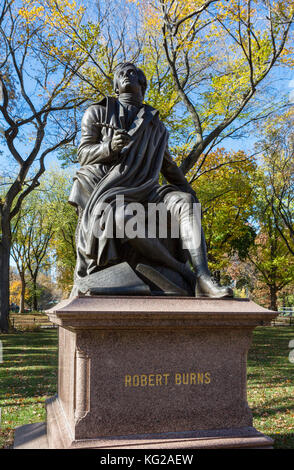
[37, 116]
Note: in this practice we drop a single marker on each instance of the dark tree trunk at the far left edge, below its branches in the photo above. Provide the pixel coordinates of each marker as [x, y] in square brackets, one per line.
[5, 244]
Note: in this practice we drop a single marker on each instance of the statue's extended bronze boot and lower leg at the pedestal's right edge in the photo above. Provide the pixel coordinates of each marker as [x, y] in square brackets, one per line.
[205, 285]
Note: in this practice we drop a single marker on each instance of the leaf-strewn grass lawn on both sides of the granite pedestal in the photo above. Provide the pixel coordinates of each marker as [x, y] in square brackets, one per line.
[28, 376]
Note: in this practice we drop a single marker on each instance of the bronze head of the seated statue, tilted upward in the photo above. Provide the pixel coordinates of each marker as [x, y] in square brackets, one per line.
[129, 79]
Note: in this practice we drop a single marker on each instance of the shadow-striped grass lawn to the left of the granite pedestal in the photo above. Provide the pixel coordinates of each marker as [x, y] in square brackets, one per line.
[28, 375]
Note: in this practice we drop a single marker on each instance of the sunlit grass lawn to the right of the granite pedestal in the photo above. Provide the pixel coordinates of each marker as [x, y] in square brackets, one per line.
[270, 387]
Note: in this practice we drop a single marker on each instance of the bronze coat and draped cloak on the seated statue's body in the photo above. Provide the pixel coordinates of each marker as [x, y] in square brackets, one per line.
[133, 174]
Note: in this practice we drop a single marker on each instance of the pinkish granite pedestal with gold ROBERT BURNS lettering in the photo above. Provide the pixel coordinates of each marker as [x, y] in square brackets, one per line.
[153, 372]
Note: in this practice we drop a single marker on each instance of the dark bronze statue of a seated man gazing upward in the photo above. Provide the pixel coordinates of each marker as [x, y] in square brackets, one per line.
[122, 152]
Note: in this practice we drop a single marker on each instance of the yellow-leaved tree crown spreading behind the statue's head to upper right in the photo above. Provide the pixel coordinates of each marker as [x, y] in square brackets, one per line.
[208, 62]
